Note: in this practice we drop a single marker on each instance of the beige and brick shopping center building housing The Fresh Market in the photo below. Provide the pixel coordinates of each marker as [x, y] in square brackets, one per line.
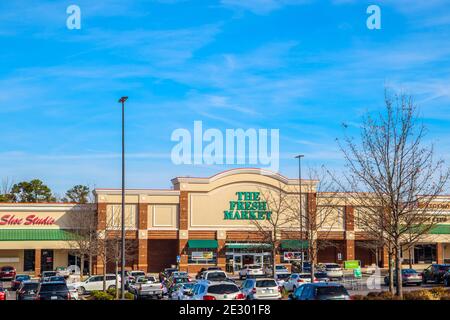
[207, 221]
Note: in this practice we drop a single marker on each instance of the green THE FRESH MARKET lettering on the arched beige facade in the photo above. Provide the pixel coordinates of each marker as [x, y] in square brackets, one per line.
[247, 206]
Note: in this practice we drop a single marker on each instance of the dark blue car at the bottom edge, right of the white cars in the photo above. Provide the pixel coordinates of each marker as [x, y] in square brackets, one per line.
[320, 291]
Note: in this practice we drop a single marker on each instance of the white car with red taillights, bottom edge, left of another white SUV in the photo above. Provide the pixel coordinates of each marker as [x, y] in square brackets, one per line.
[221, 290]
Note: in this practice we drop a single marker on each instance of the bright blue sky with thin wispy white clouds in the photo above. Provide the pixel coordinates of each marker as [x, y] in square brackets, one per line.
[301, 66]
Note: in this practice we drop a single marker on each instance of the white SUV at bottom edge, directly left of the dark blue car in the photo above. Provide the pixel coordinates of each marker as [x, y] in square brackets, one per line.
[261, 289]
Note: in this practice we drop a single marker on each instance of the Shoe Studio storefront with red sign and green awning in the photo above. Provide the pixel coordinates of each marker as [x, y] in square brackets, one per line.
[36, 237]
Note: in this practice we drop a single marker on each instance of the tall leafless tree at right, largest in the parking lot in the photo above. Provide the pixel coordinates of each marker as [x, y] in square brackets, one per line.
[397, 174]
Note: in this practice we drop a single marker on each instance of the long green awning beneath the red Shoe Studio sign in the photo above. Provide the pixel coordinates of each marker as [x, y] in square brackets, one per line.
[36, 235]
